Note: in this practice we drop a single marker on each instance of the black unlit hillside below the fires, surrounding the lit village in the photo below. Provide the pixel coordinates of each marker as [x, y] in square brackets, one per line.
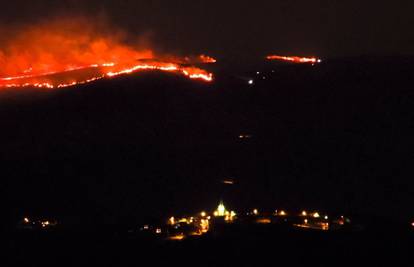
[336, 137]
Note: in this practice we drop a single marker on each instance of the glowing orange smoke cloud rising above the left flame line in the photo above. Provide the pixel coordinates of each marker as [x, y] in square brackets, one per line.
[61, 44]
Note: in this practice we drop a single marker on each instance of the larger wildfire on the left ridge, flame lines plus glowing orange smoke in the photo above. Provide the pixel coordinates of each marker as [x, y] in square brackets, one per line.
[54, 53]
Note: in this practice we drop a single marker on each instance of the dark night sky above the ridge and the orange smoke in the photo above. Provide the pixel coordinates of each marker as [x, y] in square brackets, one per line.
[256, 28]
